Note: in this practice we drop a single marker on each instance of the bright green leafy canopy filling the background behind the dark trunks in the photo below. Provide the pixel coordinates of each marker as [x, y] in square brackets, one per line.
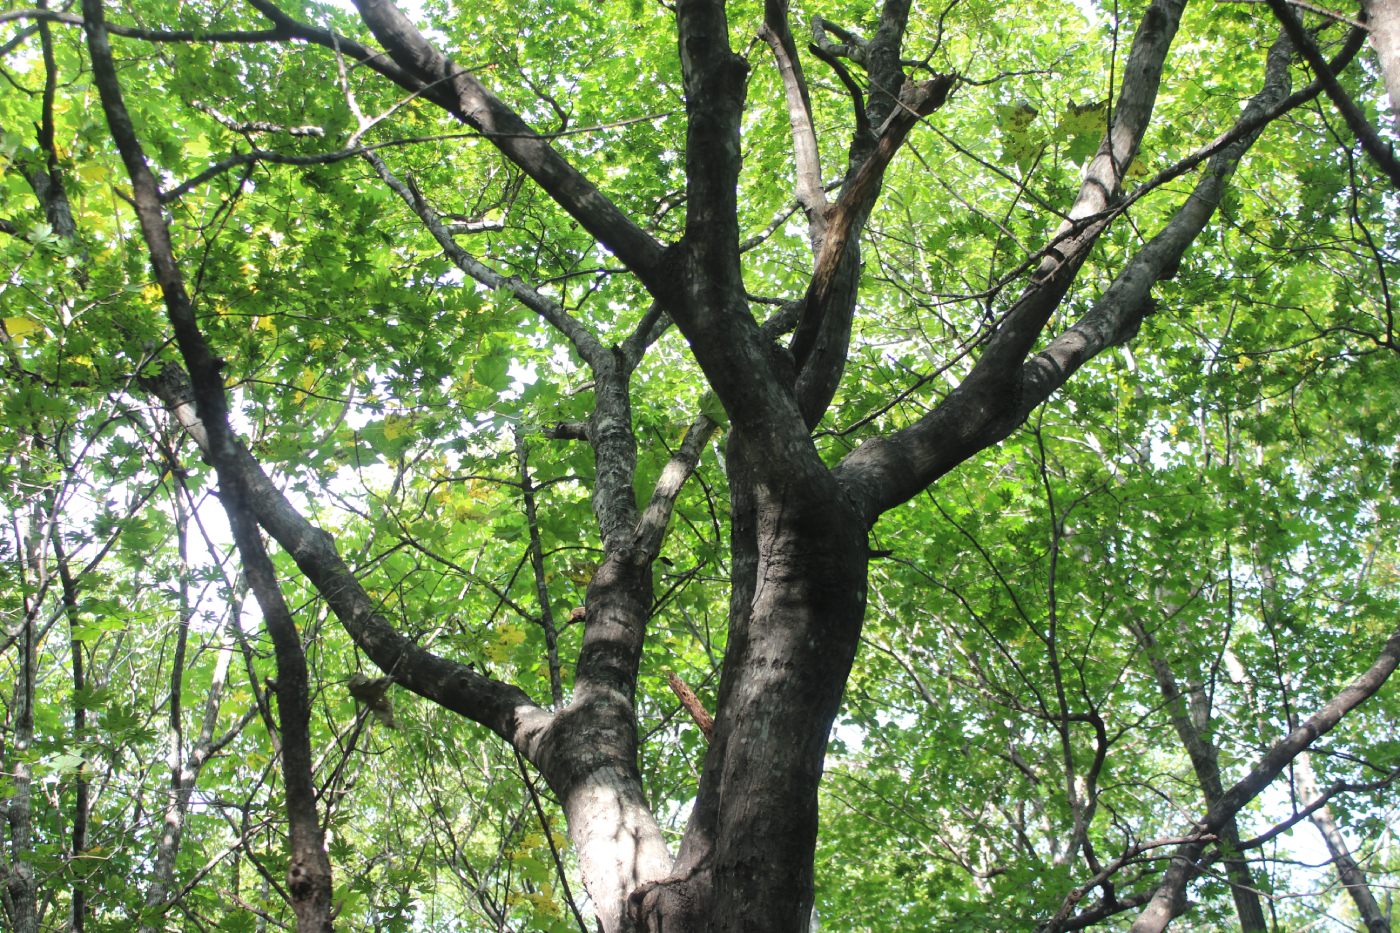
[1181, 557]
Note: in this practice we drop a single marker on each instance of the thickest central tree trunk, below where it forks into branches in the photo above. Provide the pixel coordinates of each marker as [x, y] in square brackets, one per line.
[747, 861]
